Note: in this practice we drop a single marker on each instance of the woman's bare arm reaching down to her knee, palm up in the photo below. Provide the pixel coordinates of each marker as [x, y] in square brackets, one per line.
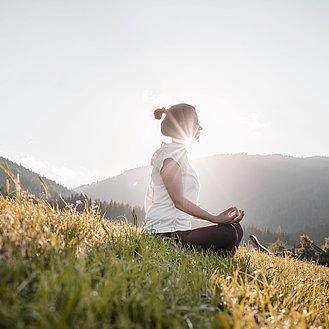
[171, 174]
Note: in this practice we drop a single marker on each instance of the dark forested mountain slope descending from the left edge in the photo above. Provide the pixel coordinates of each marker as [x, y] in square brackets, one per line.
[30, 181]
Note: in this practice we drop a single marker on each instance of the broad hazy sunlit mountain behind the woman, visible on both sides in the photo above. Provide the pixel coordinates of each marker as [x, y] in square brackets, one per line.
[276, 191]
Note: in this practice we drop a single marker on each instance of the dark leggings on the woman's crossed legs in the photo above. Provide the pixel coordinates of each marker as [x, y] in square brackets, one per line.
[224, 239]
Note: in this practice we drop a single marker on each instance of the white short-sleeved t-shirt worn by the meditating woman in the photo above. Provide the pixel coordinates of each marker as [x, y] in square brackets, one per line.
[161, 214]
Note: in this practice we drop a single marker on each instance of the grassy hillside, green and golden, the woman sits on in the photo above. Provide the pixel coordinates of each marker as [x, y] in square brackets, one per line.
[64, 269]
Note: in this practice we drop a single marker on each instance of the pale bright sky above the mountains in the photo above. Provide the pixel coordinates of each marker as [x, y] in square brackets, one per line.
[79, 80]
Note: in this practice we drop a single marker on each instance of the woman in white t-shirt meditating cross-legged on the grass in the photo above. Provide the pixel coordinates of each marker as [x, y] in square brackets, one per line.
[171, 197]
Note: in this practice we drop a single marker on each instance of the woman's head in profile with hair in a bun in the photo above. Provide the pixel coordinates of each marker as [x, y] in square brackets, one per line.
[181, 121]
